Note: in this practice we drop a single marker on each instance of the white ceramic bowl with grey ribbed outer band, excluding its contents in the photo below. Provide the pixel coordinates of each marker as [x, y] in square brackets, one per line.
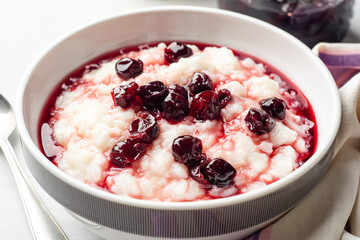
[116, 217]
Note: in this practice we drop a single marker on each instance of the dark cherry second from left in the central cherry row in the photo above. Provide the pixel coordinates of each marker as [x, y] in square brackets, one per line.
[153, 94]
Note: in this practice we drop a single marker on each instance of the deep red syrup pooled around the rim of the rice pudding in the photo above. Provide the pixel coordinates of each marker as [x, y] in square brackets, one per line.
[49, 147]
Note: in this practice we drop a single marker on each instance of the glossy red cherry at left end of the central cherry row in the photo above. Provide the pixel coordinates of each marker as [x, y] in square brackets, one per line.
[125, 94]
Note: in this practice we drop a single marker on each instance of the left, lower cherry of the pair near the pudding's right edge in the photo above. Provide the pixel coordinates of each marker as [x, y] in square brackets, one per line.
[259, 122]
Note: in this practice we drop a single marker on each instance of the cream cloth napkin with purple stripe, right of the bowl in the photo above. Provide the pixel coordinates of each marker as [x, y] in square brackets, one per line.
[332, 209]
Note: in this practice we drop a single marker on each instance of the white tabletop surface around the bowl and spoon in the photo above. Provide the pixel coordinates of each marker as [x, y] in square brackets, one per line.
[26, 28]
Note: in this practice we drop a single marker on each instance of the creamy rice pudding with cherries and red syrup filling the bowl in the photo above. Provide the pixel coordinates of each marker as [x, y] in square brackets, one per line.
[178, 122]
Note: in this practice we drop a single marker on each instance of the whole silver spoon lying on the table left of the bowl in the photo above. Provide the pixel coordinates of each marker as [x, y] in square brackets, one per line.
[42, 223]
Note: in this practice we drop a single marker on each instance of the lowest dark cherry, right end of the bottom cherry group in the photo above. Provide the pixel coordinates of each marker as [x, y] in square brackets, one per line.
[219, 172]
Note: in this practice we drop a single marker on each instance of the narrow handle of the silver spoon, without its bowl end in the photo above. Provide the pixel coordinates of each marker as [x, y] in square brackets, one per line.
[42, 223]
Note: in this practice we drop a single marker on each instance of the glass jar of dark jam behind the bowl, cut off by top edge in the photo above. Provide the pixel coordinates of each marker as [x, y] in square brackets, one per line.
[311, 21]
